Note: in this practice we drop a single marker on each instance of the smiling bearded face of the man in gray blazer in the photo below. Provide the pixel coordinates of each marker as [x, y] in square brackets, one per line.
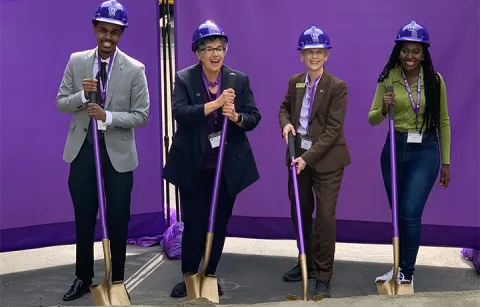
[108, 35]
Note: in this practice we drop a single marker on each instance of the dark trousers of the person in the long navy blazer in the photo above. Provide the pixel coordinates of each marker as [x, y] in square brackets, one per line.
[196, 210]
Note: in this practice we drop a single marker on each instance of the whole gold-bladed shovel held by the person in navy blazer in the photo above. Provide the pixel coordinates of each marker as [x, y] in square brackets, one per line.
[199, 285]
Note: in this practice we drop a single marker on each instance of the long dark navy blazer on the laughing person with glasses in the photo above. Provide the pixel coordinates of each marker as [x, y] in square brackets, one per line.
[185, 158]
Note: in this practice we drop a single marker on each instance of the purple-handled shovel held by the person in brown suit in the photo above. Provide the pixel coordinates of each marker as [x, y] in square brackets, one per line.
[303, 256]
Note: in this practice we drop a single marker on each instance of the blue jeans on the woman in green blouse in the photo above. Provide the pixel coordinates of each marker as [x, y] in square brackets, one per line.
[418, 165]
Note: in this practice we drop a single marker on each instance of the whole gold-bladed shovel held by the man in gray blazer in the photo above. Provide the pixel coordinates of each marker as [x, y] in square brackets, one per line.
[105, 294]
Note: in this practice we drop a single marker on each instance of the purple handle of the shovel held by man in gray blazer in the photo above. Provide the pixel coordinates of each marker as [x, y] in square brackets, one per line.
[98, 169]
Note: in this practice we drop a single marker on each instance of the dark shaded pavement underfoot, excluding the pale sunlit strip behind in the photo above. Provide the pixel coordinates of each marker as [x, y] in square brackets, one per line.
[246, 279]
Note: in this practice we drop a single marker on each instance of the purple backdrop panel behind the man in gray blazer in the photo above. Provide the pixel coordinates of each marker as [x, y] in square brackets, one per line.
[35, 204]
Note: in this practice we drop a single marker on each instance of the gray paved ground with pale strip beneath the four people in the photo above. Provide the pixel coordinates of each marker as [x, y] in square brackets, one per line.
[250, 273]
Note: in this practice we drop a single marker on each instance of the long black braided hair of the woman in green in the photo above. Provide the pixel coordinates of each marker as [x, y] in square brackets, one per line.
[431, 116]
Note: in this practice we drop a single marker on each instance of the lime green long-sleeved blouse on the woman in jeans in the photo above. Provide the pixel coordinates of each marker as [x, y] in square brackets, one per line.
[404, 114]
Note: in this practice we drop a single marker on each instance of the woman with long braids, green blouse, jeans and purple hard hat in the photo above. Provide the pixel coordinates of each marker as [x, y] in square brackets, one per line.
[422, 136]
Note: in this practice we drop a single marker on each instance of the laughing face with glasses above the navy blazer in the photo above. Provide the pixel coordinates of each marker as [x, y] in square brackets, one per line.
[211, 54]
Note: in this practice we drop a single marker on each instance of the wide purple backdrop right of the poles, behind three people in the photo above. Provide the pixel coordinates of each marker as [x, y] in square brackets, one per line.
[263, 36]
